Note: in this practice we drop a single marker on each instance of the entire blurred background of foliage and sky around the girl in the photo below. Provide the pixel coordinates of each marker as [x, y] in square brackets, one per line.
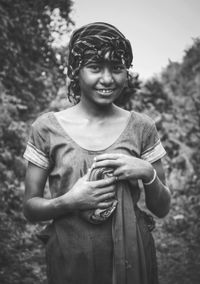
[165, 37]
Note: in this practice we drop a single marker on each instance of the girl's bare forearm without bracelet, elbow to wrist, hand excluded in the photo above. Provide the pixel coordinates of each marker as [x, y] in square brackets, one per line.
[38, 209]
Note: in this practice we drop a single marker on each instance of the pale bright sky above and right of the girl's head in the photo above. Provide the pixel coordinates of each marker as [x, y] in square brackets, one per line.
[159, 30]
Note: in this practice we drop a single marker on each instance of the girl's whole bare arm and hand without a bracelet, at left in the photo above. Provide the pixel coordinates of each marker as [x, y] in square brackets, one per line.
[83, 195]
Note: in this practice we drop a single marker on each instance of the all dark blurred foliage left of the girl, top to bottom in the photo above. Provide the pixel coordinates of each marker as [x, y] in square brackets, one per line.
[31, 72]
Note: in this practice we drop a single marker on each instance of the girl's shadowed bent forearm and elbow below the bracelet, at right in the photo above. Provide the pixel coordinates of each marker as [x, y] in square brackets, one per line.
[158, 198]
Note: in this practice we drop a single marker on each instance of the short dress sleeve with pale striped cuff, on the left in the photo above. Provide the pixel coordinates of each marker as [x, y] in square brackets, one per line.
[37, 150]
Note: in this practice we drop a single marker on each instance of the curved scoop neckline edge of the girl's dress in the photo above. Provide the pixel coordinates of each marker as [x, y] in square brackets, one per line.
[64, 133]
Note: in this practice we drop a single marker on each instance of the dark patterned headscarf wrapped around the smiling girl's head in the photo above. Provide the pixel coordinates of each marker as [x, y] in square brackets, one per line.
[93, 41]
